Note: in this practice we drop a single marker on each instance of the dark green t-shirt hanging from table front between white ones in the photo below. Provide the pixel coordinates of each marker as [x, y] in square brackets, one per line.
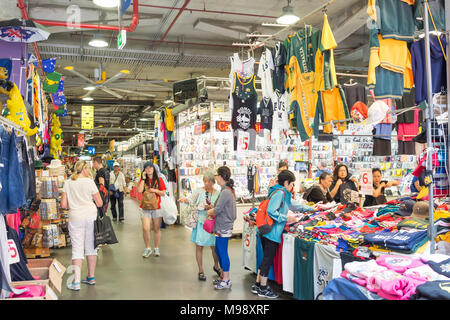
[304, 270]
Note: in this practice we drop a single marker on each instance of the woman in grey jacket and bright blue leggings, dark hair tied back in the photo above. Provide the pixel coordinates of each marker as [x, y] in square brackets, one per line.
[225, 214]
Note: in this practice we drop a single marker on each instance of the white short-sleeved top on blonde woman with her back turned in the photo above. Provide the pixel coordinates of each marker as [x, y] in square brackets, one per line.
[80, 198]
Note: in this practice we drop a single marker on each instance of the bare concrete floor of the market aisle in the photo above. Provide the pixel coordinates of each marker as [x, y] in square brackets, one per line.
[123, 274]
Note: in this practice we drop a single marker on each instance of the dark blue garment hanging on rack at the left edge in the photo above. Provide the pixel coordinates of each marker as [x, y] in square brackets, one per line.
[12, 194]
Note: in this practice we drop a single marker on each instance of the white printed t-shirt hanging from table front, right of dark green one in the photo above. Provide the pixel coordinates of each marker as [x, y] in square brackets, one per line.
[324, 256]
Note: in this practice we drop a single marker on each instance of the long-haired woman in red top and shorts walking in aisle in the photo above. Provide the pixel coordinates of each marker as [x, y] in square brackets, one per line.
[150, 182]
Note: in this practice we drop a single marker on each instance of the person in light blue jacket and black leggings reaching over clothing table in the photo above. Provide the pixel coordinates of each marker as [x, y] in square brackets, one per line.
[280, 203]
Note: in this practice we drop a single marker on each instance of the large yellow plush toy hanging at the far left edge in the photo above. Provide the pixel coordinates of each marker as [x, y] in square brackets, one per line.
[17, 110]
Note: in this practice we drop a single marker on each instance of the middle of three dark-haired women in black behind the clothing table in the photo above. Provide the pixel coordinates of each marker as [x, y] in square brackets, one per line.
[343, 184]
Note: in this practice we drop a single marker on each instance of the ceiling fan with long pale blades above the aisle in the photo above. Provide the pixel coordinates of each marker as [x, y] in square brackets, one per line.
[102, 83]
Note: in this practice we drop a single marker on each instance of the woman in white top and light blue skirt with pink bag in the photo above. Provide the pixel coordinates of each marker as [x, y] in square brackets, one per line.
[202, 200]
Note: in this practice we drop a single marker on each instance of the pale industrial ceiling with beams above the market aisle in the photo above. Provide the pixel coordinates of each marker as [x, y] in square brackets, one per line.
[171, 44]
